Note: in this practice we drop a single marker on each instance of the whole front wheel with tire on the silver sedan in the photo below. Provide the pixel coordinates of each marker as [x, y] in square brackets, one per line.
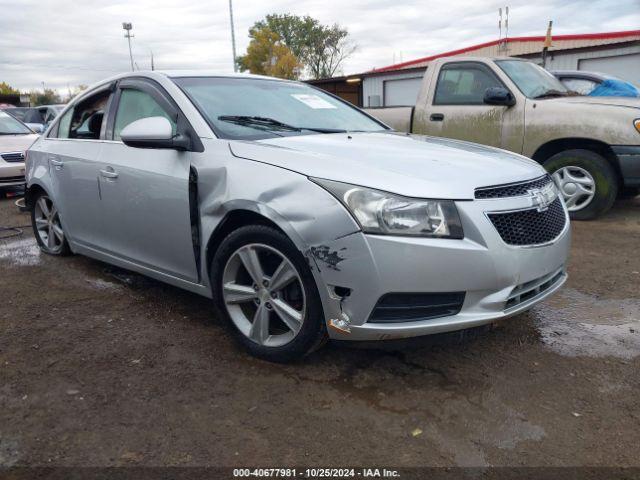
[263, 285]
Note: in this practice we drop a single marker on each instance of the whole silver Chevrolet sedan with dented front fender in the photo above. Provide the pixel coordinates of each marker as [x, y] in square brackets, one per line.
[301, 216]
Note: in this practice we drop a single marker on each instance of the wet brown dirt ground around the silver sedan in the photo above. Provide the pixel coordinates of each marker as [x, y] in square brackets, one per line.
[99, 367]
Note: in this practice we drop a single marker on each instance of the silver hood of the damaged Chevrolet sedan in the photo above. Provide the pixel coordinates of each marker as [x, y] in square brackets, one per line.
[411, 165]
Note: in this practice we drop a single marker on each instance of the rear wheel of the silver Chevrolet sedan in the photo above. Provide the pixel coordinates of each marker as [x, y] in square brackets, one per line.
[47, 228]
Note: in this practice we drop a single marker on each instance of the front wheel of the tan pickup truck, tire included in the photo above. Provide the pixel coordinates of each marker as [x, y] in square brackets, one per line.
[586, 180]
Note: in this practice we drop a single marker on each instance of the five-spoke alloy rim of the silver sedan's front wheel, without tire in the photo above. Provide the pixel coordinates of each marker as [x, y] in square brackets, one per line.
[264, 295]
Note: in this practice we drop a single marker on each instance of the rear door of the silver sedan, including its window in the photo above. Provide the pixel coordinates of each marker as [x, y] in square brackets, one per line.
[73, 148]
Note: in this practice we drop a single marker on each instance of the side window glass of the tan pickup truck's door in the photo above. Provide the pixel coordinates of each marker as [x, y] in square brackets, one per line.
[463, 85]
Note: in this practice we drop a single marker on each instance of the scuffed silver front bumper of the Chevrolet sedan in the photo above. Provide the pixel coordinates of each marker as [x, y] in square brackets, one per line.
[484, 267]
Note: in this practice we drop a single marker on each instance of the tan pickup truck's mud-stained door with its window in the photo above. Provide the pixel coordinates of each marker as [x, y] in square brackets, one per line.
[457, 108]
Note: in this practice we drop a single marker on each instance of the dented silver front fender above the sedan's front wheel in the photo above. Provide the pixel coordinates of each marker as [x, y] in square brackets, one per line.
[310, 216]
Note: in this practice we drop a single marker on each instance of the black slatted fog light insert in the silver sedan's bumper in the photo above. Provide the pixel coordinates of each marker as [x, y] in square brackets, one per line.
[414, 307]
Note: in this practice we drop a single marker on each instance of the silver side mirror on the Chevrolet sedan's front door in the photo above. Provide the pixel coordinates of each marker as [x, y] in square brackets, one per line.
[153, 132]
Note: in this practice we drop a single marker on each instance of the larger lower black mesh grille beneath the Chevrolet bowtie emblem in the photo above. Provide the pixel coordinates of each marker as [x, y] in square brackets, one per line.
[530, 227]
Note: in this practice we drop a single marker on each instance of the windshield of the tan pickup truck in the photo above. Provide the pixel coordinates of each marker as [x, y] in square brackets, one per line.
[533, 81]
